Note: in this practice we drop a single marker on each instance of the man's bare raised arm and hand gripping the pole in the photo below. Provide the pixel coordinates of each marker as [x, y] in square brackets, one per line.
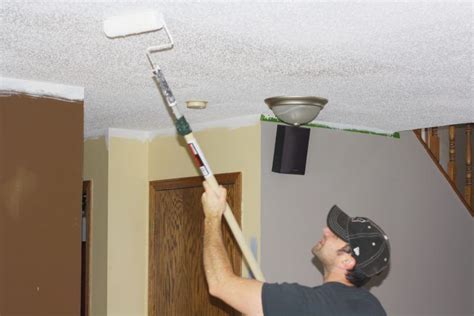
[242, 294]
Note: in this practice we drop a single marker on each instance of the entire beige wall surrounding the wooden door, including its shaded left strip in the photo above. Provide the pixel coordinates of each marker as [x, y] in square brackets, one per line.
[131, 164]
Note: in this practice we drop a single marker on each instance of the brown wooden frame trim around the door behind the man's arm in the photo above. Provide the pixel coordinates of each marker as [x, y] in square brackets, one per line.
[234, 179]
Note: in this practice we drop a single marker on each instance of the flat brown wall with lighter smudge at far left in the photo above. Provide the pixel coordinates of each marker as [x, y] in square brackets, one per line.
[41, 150]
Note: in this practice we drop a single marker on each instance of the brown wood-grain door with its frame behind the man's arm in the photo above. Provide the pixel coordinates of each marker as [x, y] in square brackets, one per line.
[177, 284]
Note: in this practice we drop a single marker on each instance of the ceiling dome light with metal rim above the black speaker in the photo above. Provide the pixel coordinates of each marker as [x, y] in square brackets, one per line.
[295, 110]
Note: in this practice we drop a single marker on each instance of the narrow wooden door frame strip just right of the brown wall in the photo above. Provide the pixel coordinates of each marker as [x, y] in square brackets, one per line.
[87, 187]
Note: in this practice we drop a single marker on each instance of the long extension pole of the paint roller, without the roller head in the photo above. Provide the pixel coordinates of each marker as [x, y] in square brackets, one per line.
[184, 130]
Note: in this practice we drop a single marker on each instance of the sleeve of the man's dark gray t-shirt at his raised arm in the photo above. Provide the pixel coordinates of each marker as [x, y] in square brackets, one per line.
[283, 299]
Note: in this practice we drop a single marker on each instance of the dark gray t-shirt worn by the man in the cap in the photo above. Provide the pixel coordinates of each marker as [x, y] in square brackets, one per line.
[331, 298]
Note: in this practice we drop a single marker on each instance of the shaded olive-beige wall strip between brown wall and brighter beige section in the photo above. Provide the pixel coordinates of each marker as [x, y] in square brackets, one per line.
[96, 169]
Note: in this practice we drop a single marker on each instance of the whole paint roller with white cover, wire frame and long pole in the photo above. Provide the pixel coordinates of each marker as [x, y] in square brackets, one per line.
[149, 21]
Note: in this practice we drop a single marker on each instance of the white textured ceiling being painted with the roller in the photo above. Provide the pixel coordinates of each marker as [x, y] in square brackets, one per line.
[387, 66]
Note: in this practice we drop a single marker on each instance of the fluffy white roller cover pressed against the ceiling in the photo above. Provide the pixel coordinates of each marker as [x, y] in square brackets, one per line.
[135, 23]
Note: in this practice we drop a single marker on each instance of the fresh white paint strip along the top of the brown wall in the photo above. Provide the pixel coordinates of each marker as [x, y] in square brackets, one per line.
[10, 86]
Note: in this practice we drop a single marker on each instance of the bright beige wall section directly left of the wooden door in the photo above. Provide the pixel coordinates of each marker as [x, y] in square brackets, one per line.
[127, 227]
